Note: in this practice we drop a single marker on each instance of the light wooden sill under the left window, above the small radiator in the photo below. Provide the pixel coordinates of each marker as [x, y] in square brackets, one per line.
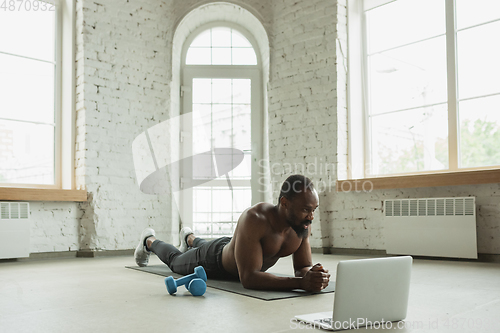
[38, 194]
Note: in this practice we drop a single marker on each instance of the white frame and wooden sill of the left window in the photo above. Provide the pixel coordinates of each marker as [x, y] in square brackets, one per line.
[63, 188]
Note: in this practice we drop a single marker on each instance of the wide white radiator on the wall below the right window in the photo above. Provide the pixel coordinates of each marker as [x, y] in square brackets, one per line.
[440, 227]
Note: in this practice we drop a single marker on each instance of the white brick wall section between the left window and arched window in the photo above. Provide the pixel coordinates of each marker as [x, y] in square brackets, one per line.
[123, 66]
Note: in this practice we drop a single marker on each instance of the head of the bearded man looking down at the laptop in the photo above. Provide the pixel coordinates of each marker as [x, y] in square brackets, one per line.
[299, 200]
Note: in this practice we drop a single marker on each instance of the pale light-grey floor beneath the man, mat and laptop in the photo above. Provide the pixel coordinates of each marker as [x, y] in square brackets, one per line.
[101, 295]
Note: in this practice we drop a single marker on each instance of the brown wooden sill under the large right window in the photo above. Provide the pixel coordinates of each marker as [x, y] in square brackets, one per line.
[425, 180]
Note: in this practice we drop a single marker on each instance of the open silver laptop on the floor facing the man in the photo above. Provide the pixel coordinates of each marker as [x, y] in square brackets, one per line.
[368, 292]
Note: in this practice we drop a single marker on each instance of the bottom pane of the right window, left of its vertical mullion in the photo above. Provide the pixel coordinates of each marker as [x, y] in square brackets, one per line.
[410, 141]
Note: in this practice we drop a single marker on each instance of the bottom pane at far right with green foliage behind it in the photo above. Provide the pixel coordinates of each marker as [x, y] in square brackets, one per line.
[480, 132]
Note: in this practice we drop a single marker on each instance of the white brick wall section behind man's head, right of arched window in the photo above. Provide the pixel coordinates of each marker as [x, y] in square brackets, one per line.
[302, 118]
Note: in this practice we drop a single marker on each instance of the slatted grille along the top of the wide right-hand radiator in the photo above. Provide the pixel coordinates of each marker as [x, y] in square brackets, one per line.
[431, 207]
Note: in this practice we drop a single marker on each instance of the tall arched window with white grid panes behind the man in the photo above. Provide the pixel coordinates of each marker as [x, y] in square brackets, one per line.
[221, 90]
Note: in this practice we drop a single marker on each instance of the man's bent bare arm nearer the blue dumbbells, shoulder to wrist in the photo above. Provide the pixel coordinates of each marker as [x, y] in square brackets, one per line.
[249, 258]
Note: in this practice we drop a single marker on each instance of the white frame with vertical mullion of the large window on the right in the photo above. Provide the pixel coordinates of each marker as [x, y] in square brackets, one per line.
[358, 118]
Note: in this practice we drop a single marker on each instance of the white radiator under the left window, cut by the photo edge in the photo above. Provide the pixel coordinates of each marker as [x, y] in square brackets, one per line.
[14, 230]
